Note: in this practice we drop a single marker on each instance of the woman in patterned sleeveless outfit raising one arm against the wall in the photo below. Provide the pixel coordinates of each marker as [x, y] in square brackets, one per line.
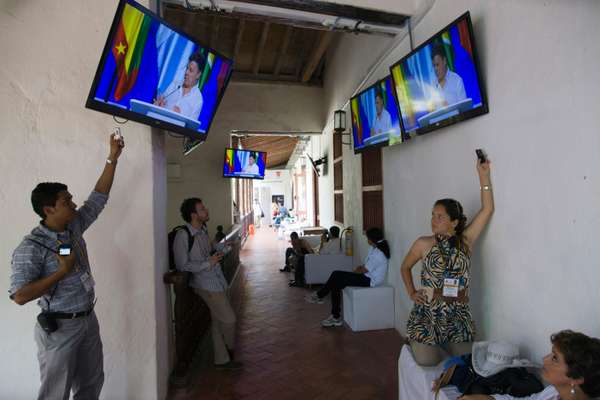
[441, 318]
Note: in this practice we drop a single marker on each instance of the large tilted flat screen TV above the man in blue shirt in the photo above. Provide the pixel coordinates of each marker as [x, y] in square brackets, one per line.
[152, 73]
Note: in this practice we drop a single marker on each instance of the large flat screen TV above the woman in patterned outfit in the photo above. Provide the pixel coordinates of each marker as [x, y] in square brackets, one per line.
[439, 83]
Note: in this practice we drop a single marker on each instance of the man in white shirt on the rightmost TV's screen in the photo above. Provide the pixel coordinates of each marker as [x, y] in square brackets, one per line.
[449, 86]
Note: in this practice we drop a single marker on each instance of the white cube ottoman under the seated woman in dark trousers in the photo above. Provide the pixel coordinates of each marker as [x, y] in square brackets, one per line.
[369, 308]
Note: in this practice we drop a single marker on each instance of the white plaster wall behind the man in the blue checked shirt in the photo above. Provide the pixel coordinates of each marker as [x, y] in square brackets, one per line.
[50, 53]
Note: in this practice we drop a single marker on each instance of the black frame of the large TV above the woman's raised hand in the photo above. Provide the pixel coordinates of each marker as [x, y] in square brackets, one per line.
[483, 109]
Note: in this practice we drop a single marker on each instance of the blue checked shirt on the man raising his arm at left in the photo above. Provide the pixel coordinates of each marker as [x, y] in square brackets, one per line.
[32, 262]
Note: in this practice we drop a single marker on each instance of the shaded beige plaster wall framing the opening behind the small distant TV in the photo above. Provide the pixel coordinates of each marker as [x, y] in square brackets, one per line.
[248, 106]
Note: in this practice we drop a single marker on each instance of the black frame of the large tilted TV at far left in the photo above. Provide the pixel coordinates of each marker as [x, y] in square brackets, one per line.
[93, 104]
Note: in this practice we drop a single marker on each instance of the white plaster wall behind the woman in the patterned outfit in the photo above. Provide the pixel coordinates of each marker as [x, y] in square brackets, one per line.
[534, 268]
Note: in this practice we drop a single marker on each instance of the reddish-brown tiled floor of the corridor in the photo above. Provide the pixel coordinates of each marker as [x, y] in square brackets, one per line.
[286, 354]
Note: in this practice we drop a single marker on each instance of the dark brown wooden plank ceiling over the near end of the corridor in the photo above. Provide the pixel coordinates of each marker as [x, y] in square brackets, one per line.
[262, 50]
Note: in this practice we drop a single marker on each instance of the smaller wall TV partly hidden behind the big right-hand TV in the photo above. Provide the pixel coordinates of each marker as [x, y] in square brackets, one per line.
[375, 118]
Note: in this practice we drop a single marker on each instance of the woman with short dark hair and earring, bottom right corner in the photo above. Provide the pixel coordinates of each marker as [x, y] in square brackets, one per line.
[572, 369]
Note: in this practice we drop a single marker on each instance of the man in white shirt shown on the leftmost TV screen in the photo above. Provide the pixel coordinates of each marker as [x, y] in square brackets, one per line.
[186, 98]
